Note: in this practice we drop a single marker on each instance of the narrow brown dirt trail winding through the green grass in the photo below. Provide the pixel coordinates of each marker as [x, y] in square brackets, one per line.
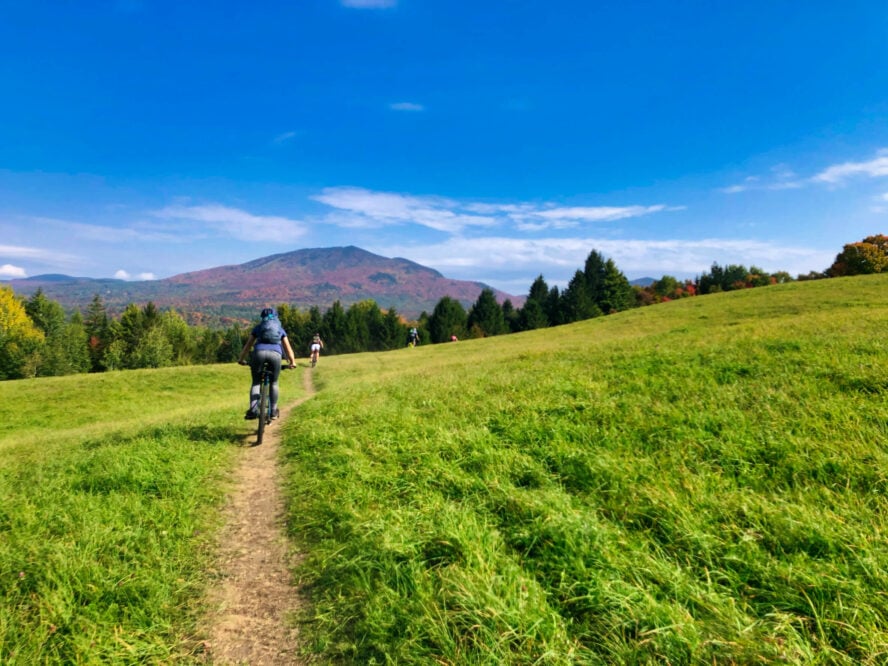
[251, 604]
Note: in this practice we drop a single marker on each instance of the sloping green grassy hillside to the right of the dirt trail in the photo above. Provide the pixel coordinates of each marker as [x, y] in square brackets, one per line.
[698, 482]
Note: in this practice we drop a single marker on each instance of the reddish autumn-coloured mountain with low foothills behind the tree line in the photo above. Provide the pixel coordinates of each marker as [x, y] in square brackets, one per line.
[301, 278]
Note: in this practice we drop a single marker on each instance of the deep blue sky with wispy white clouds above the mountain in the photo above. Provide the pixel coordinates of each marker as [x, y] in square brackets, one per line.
[493, 141]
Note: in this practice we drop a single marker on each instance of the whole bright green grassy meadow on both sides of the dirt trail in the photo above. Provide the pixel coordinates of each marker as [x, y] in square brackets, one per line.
[699, 482]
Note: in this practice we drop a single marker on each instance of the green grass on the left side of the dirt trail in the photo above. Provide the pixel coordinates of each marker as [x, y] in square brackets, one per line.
[110, 491]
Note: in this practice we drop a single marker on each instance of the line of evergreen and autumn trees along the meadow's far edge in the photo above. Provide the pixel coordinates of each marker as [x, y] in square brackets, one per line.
[37, 339]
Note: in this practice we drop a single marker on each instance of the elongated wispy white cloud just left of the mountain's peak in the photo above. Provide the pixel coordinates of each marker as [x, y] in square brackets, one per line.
[235, 223]
